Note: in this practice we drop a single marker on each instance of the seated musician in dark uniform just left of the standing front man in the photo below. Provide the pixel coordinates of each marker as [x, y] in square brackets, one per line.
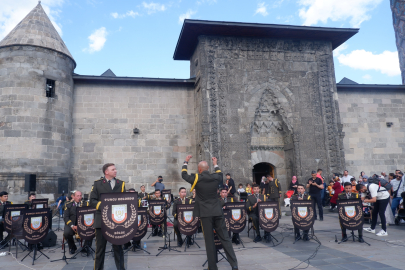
[71, 220]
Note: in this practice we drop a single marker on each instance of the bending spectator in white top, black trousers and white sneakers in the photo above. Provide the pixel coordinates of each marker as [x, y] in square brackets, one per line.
[380, 197]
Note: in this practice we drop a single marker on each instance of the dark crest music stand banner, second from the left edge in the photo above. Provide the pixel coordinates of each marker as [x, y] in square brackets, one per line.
[35, 225]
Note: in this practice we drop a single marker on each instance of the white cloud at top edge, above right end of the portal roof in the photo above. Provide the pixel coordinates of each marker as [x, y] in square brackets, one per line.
[357, 11]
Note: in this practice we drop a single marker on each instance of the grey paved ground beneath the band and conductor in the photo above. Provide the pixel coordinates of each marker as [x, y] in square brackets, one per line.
[384, 253]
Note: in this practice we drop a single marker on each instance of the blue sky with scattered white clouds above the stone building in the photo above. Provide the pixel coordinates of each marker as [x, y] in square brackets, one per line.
[138, 38]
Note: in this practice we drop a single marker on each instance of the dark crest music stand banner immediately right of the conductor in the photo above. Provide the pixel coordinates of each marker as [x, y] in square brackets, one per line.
[237, 216]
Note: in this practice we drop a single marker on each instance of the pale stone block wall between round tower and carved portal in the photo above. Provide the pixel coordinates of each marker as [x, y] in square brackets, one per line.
[104, 117]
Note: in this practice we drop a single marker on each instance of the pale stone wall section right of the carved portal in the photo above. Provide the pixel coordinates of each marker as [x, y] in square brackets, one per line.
[370, 145]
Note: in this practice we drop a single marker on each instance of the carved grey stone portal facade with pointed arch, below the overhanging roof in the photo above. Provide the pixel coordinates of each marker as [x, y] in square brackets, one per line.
[286, 86]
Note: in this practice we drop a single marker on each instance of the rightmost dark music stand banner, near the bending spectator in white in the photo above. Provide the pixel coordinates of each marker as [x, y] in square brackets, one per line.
[351, 214]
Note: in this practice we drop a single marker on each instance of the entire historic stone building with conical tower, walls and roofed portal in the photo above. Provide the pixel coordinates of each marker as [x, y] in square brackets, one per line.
[262, 98]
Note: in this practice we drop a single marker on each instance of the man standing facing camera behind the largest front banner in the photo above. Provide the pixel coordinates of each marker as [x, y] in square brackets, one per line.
[106, 184]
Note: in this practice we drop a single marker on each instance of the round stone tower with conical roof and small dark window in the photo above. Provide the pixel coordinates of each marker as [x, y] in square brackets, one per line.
[36, 90]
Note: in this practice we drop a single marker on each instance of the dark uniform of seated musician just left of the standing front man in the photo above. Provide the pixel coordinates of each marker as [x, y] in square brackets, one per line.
[70, 220]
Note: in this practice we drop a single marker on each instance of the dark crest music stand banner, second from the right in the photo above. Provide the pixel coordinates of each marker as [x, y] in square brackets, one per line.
[302, 213]
